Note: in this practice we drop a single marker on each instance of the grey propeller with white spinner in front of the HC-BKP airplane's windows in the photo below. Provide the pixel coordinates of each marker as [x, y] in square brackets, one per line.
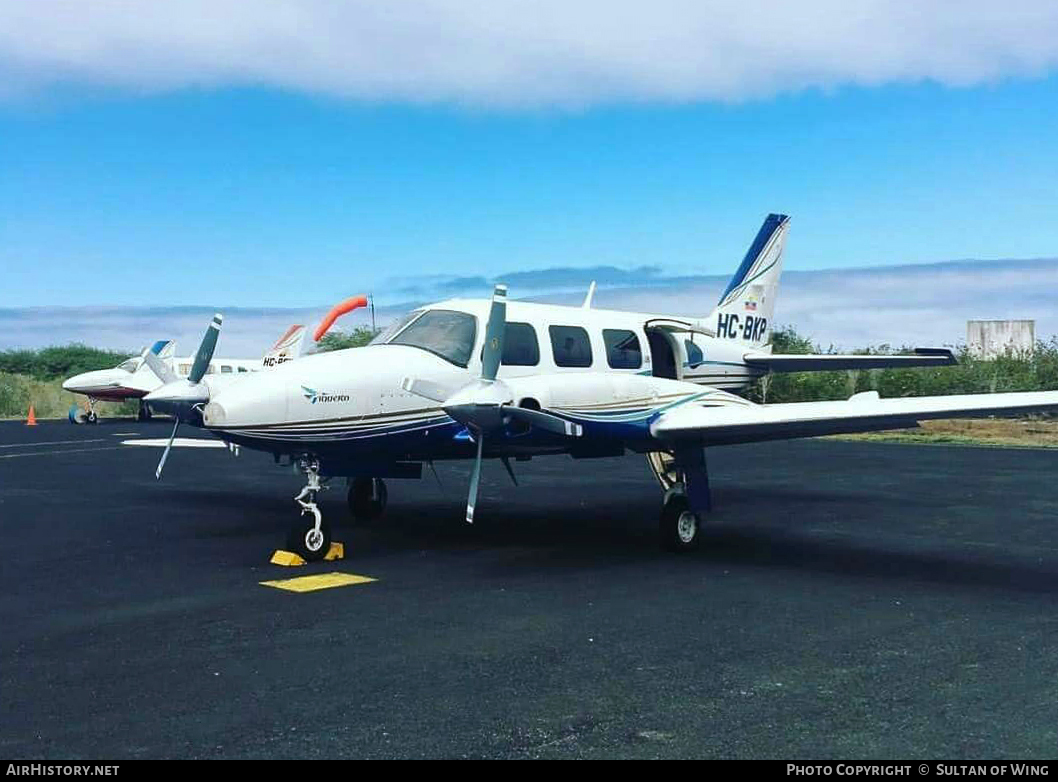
[485, 405]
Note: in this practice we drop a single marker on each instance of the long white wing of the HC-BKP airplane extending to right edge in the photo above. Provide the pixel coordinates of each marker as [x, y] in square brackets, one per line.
[722, 426]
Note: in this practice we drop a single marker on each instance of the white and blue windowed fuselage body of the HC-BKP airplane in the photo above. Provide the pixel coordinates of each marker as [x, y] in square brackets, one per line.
[350, 409]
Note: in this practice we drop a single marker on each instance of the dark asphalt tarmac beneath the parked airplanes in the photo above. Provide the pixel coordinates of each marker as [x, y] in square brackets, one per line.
[851, 601]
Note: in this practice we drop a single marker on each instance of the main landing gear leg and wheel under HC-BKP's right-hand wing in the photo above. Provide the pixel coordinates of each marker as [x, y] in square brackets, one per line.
[685, 479]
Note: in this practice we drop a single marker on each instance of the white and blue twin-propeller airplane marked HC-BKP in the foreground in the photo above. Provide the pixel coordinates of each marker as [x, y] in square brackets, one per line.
[477, 379]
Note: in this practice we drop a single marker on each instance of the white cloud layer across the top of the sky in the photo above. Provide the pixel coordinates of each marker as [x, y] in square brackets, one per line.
[514, 53]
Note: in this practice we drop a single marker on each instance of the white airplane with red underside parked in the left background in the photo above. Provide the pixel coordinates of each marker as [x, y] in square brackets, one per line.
[134, 379]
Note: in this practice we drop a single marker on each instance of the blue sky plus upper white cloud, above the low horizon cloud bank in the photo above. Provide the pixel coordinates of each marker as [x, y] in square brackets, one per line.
[142, 163]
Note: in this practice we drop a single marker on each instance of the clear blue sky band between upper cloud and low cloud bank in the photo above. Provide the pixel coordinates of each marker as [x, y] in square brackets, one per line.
[246, 197]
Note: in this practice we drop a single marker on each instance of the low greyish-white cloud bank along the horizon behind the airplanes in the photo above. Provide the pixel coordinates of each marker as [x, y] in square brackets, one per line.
[926, 305]
